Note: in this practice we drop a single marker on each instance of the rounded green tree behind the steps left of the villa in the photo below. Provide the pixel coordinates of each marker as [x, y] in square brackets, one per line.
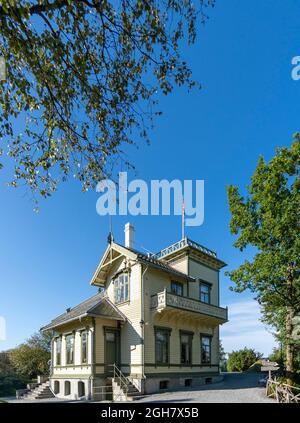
[31, 358]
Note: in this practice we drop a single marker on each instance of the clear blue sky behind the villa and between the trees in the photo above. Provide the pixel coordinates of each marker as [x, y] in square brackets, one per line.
[248, 105]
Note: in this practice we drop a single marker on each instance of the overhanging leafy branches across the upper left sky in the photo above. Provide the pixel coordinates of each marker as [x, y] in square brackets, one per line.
[83, 76]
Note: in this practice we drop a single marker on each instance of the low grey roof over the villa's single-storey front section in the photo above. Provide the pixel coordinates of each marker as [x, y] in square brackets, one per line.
[98, 305]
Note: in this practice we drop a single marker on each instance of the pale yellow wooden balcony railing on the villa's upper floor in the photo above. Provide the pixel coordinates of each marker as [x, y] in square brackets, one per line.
[166, 299]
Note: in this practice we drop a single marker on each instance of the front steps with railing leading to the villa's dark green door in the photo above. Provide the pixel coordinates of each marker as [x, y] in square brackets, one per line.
[122, 388]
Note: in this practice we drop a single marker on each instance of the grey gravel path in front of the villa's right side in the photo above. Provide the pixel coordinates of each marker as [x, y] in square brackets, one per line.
[236, 387]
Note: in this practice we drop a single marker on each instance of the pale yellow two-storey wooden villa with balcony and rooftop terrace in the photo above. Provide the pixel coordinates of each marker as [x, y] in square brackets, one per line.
[153, 325]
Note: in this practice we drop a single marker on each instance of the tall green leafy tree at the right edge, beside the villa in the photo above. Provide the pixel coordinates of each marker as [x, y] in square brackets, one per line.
[269, 220]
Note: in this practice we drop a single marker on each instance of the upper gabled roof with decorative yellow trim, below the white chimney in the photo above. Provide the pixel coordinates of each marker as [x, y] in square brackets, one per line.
[116, 251]
